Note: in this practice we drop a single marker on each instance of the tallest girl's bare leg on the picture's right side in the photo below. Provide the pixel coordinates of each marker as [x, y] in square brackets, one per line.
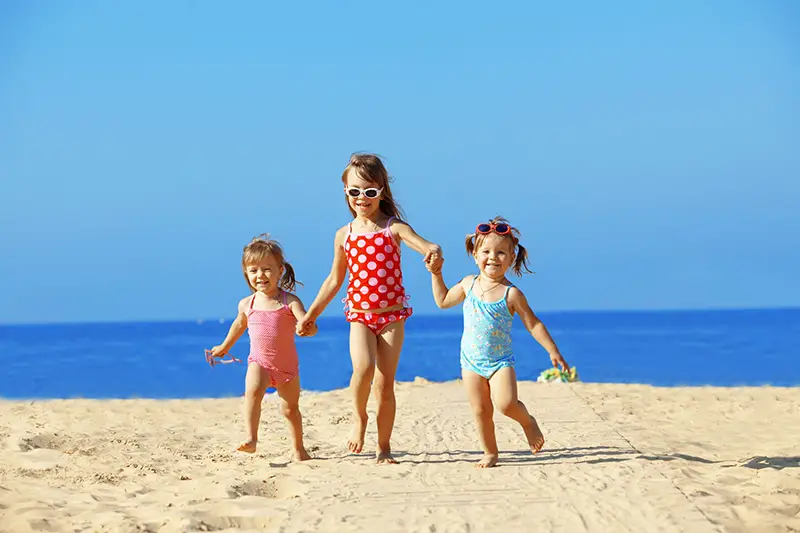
[390, 343]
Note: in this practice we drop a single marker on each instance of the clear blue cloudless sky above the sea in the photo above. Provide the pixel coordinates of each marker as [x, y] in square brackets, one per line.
[648, 151]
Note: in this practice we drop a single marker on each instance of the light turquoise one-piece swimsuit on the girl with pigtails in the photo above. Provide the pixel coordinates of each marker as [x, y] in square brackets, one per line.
[486, 342]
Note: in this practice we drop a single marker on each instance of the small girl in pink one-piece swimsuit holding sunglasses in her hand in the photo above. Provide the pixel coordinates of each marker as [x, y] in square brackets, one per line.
[270, 316]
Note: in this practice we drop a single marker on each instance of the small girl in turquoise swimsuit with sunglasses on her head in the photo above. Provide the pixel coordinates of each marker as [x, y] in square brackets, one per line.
[490, 303]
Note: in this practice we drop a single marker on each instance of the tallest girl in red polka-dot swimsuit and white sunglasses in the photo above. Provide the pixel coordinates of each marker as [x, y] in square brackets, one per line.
[367, 251]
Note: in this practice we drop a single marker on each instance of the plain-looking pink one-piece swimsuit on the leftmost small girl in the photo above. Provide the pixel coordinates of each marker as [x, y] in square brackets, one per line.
[272, 344]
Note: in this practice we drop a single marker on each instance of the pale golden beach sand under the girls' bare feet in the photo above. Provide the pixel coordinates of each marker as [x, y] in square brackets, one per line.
[618, 458]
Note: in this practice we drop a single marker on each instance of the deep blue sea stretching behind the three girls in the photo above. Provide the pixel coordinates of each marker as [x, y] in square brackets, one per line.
[166, 359]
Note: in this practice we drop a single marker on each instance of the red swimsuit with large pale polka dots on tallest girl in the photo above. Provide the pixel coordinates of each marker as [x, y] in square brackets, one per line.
[376, 279]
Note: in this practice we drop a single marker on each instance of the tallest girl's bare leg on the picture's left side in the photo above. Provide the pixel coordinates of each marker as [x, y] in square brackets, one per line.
[363, 347]
